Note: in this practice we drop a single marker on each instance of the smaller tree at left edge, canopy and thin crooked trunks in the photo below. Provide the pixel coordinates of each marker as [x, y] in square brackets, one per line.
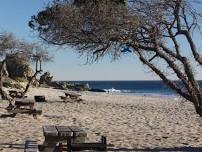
[22, 51]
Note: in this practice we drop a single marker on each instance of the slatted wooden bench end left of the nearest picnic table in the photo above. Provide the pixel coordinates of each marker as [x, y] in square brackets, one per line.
[31, 146]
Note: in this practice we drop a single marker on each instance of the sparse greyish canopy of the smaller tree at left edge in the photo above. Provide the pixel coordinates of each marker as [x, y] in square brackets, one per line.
[25, 52]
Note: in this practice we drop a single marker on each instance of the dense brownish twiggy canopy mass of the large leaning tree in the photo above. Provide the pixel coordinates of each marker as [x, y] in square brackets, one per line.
[92, 25]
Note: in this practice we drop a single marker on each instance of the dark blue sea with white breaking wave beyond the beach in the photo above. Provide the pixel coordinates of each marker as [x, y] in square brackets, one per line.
[150, 88]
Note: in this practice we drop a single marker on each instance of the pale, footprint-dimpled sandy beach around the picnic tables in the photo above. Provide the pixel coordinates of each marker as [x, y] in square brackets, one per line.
[130, 122]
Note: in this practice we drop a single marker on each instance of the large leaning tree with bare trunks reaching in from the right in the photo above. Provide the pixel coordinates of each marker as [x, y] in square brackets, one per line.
[154, 30]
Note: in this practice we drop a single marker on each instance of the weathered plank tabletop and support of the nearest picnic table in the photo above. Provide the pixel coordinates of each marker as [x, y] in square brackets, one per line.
[62, 134]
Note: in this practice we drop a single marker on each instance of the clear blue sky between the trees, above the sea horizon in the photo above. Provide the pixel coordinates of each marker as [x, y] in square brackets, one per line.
[67, 65]
